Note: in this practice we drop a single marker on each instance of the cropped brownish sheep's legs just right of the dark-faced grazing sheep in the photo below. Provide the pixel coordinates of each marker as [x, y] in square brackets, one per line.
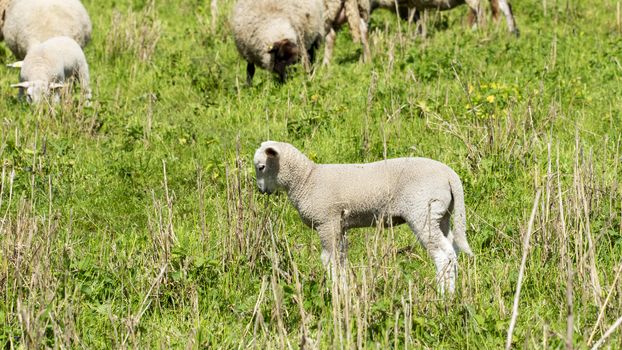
[356, 13]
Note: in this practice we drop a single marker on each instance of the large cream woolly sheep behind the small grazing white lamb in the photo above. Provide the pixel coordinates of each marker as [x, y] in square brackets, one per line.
[30, 22]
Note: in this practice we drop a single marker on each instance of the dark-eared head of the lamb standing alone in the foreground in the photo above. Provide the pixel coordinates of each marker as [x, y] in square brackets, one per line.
[267, 167]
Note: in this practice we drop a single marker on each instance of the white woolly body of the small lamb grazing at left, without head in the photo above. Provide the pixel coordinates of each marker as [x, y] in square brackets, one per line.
[54, 60]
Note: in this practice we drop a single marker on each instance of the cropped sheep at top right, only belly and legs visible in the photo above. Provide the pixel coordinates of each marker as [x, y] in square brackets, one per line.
[404, 7]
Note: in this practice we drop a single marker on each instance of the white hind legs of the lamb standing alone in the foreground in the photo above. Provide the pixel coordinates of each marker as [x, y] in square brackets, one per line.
[428, 229]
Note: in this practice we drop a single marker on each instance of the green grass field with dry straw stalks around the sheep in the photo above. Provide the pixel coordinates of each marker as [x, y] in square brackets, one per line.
[136, 222]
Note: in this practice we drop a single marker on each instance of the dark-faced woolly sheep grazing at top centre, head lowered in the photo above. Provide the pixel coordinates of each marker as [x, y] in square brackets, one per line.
[274, 34]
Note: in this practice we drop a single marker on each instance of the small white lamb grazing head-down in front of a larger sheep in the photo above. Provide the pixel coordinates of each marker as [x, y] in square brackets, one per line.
[48, 65]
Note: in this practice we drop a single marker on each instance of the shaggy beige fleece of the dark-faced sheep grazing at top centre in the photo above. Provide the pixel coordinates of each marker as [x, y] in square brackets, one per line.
[257, 24]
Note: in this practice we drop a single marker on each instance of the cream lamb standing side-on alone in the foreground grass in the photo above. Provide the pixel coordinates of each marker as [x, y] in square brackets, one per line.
[332, 198]
